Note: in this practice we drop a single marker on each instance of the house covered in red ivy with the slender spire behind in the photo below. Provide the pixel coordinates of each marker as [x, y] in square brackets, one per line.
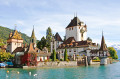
[30, 55]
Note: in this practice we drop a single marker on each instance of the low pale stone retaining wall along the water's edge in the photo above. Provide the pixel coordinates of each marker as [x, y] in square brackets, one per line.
[57, 64]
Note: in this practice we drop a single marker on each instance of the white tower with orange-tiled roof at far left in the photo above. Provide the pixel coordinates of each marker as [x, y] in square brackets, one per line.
[15, 40]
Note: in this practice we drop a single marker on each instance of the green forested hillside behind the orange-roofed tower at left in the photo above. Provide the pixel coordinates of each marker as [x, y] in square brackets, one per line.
[4, 34]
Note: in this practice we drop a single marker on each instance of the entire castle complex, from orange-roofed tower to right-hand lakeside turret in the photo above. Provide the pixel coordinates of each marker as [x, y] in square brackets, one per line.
[76, 44]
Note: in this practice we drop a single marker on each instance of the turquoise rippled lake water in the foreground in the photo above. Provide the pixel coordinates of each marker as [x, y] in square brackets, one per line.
[111, 71]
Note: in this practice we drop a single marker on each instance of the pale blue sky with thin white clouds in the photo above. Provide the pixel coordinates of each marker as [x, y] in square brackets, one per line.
[98, 15]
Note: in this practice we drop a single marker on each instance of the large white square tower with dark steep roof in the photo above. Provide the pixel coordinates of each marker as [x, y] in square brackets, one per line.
[76, 29]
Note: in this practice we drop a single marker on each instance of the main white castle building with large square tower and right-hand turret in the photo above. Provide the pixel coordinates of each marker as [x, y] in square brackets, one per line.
[76, 42]
